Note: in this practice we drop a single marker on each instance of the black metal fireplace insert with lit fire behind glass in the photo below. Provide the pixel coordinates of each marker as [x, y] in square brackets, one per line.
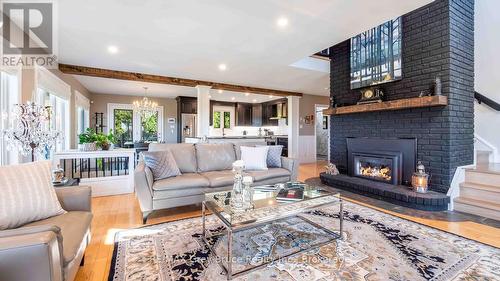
[385, 160]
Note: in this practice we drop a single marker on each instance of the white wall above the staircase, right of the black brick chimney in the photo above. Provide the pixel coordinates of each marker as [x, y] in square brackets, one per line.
[487, 72]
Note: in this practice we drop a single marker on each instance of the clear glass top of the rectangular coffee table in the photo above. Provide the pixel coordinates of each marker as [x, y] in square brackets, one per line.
[269, 202]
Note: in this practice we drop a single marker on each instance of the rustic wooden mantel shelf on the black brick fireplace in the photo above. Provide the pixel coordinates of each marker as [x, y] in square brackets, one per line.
[389, 105]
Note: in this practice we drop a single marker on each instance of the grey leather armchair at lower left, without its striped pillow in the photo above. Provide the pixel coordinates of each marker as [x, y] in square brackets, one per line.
[51, 249]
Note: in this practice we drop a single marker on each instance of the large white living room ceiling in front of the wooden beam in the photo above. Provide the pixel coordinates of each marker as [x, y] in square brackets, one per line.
[189, 38]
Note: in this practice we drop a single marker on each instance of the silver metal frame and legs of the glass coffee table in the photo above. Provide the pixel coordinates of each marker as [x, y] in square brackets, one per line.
[233, 228]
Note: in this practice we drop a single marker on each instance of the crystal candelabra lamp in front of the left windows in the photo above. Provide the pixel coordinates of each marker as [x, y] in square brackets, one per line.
[30, 131]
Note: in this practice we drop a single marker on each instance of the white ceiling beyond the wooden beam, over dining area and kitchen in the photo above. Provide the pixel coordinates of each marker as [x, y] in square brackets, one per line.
[132, 88]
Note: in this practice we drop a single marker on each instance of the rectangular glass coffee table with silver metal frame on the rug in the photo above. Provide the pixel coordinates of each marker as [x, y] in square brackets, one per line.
[267, 207]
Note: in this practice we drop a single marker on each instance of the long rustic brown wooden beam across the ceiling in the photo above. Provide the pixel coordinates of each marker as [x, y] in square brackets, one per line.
[141, 77]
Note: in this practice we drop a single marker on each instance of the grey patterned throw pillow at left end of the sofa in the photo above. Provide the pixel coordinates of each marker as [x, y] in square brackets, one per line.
[162, 164]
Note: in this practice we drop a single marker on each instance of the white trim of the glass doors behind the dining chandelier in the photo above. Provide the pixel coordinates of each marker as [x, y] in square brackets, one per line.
[136, 119]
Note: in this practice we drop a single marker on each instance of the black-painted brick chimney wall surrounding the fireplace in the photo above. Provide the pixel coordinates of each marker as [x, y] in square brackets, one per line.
[438, 40]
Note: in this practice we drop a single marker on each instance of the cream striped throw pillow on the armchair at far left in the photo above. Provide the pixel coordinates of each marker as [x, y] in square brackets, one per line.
[27, 194]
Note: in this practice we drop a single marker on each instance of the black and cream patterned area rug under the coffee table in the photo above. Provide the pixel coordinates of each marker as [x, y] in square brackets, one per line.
[376, 246]
